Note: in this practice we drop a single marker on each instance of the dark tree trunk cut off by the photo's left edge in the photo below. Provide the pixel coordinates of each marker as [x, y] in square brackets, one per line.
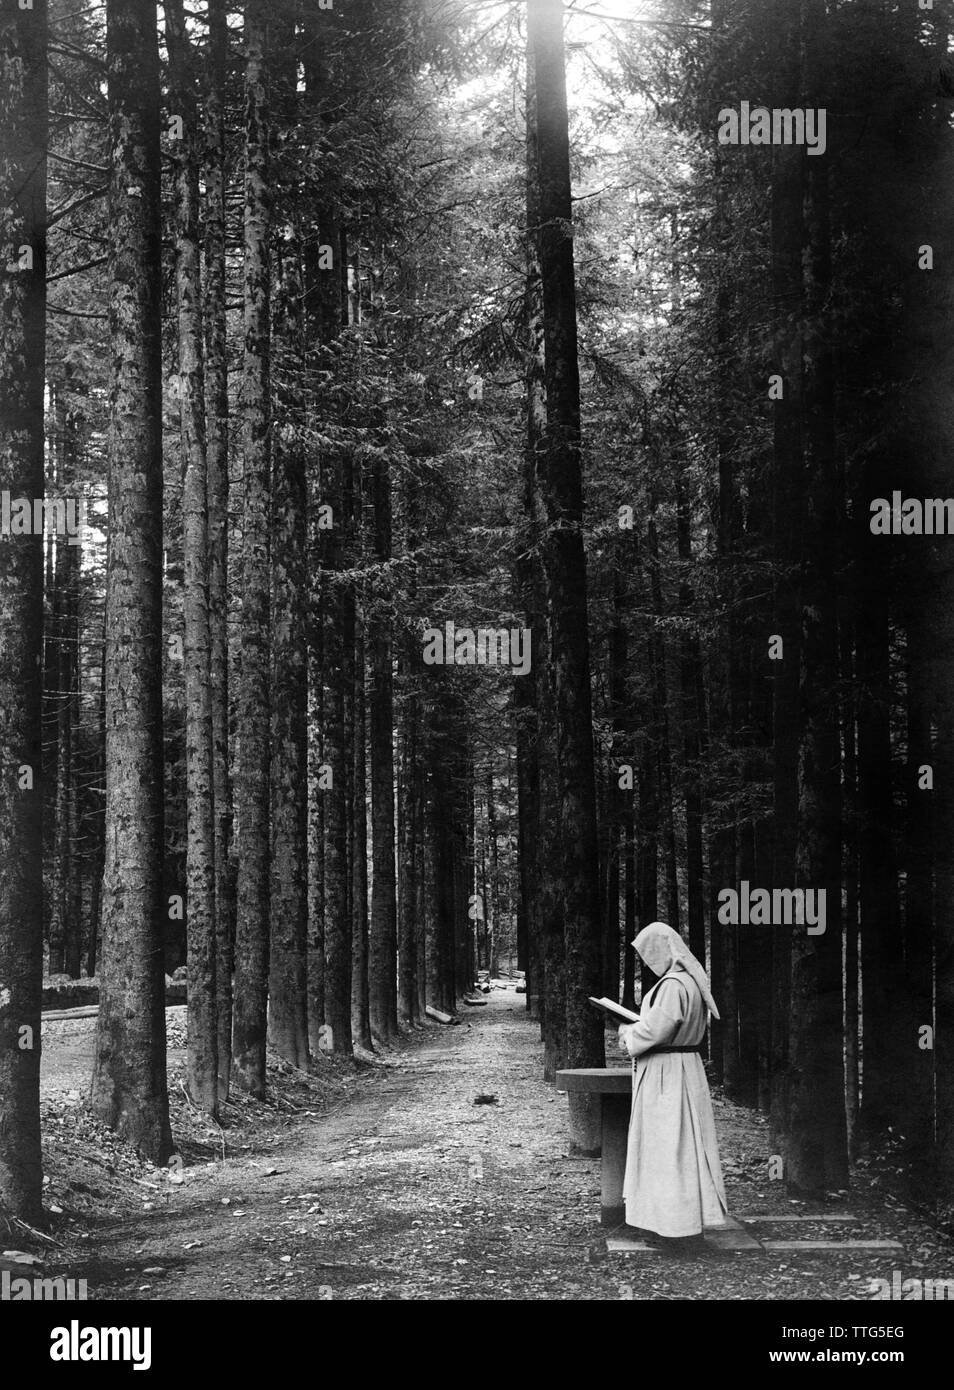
[23, 338]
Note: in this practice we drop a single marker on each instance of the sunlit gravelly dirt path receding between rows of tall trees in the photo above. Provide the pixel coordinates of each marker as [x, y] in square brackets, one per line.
[411, 1191]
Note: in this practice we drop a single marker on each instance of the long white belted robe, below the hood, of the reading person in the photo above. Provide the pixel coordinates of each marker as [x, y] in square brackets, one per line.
[674, 1177]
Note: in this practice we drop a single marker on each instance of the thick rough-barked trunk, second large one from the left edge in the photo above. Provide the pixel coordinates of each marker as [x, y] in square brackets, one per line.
[130, 1074]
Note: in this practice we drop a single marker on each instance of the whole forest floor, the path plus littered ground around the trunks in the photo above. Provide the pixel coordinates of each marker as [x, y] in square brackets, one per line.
[385, 1179]
